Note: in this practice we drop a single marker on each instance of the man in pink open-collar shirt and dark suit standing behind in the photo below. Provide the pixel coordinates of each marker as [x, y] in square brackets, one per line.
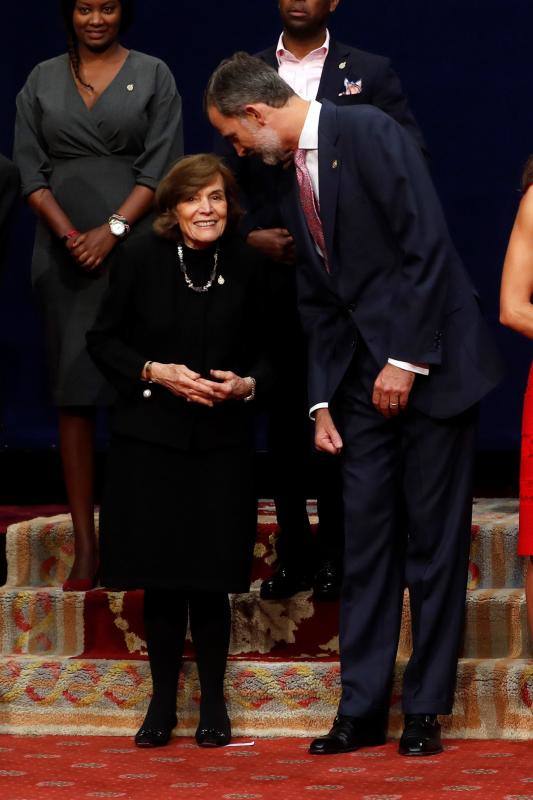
[315, 66]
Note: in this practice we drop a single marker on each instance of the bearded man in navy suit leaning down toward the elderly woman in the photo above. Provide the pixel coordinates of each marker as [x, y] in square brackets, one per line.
[399, 357]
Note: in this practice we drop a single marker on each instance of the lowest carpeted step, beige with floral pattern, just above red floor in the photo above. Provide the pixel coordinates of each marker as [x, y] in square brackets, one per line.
[494, 698]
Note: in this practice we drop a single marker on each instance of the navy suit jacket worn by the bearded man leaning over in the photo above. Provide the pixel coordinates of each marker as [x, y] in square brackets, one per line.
[396, 279]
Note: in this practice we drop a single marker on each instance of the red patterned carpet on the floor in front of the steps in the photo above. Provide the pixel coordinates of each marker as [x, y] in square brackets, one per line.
[49, 768]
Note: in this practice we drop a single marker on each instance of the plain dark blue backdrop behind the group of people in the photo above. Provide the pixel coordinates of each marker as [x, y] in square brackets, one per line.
[466, 67]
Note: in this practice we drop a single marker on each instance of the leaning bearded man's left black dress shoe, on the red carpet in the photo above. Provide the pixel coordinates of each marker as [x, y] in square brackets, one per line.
[350, 733]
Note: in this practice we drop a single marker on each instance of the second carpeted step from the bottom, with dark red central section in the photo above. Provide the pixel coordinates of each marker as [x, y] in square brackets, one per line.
[102, 624]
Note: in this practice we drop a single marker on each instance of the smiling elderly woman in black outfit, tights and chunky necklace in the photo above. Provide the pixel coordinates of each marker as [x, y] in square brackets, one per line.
[181, 337]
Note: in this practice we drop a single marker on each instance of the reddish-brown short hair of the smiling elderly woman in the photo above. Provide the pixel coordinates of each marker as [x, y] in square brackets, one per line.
[188, 176]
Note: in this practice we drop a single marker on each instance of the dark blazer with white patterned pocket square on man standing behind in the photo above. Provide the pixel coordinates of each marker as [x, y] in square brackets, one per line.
[380, 87]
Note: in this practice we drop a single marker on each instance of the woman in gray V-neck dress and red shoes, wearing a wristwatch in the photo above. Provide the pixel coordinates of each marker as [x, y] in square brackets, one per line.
[96, 130]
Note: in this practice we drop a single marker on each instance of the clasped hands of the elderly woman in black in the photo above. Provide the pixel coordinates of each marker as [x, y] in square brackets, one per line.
[183, 382]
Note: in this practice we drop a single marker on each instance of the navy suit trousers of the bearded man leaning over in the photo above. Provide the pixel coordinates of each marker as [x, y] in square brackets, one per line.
[408, 509]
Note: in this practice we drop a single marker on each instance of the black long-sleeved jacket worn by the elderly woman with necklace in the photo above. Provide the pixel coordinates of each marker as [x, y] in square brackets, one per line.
[149, 314]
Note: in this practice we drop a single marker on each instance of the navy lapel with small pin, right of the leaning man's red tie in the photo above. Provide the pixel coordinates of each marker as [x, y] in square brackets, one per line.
[329, 169]
